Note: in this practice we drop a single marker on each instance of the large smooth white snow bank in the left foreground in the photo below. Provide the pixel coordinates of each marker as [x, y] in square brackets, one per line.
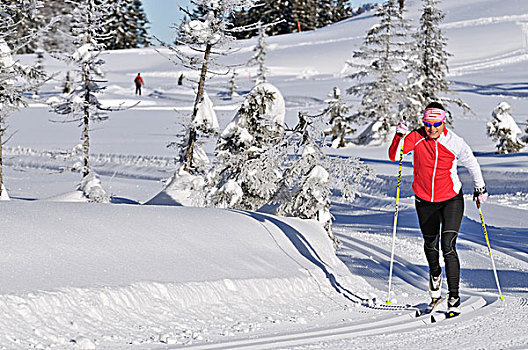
[72, 275]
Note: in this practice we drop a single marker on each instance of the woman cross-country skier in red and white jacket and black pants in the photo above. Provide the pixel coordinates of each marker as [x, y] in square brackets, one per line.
[439, 200]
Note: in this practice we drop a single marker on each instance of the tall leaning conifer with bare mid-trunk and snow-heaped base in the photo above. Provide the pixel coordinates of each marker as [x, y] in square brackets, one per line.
[206, 32]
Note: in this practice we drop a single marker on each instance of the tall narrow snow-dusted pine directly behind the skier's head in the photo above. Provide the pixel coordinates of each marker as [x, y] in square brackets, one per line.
[428, 67]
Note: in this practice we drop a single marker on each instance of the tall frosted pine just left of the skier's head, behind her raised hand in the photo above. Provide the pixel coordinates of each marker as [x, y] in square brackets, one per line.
[377, 66]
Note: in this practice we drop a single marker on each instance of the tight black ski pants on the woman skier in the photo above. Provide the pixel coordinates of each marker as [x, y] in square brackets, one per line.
[439, 223]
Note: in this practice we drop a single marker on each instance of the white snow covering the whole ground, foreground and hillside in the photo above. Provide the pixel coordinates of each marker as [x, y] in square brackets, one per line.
[126, 275]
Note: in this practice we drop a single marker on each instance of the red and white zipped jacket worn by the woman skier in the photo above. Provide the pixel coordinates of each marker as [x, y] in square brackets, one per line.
[435, 163]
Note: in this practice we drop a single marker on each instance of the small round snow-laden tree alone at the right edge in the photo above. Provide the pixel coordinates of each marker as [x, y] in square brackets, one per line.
[504, 130]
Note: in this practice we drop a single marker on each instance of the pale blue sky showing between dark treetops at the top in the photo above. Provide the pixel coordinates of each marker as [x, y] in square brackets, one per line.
[163, 13]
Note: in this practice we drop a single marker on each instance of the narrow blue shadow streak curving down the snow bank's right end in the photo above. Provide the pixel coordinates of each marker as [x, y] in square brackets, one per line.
[304, 247]
